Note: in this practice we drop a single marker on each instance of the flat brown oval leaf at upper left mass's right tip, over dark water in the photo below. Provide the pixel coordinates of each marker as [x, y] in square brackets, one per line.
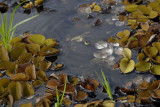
[46, 51]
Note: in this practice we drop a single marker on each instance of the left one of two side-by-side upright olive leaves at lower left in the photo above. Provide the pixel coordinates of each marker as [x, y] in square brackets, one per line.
[14, 89]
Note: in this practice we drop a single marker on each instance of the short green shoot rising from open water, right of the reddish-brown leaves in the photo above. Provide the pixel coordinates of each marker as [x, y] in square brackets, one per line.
[105, 84]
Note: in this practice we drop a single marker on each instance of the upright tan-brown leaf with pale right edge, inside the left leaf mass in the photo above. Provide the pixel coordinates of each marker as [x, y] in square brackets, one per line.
[31, 72]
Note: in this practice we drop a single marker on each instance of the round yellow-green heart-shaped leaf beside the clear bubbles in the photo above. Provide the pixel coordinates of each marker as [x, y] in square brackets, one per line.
[126, 65]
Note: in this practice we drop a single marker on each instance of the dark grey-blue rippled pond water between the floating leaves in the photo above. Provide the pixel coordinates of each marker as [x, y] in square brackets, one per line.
[57, 21]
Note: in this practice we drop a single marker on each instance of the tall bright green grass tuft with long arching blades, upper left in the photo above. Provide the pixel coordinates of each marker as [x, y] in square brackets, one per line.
[7, 33]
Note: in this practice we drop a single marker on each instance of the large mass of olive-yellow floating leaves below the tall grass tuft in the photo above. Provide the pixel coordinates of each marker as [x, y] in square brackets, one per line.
[25, 67]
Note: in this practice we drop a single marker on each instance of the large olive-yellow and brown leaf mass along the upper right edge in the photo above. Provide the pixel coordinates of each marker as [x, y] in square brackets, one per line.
[145, 24]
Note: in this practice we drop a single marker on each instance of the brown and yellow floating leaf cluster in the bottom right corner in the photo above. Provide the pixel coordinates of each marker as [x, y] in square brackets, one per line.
[142, 93]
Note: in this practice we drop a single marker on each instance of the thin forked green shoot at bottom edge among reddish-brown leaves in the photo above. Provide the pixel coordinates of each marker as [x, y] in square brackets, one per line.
[59, 101]
